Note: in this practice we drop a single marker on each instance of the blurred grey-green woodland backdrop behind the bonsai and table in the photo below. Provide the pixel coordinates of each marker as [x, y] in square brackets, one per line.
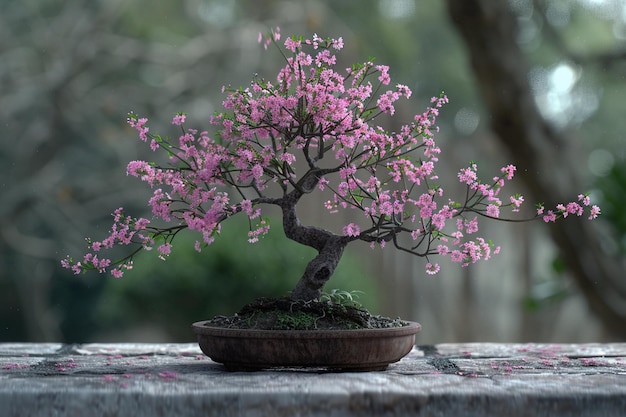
[537, 83]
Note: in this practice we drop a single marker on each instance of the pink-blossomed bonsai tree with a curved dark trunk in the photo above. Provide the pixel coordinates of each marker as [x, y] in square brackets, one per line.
[312, 130]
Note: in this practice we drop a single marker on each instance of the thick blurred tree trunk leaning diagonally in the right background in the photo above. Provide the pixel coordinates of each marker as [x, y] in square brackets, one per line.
[489, 31]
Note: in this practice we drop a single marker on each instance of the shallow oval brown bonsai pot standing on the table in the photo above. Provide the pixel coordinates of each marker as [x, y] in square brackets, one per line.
[346, 350]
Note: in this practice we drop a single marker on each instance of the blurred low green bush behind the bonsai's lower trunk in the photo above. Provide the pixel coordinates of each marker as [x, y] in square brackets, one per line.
[192, 286]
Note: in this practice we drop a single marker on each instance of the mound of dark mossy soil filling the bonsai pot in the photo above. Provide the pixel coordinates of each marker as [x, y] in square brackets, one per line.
[288, 314]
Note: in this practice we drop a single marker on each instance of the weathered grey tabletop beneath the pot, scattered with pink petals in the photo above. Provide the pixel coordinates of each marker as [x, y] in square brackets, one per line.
[475, 379]
